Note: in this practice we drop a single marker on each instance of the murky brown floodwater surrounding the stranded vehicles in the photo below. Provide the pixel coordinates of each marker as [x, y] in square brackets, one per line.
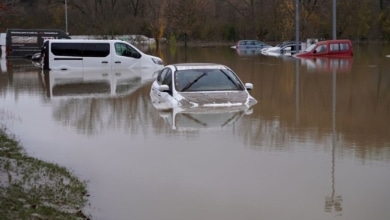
[315, 146]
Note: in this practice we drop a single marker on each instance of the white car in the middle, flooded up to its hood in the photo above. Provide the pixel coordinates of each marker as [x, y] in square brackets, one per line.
[191, 85]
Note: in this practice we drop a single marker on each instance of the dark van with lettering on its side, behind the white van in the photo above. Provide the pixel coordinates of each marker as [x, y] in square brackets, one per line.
[23, 43]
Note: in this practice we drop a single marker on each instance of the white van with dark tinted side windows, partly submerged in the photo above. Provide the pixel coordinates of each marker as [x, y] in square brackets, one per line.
[61, 54]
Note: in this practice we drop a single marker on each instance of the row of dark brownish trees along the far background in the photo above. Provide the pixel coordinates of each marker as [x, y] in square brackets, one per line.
[204, 20]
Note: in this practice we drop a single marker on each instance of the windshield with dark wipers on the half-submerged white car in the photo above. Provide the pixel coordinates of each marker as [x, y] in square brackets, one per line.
[196, 80]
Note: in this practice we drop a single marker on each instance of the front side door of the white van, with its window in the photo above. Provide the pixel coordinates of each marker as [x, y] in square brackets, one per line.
[126, 57]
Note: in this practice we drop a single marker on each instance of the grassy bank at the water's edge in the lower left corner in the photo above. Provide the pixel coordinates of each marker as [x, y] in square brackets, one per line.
[34, 189]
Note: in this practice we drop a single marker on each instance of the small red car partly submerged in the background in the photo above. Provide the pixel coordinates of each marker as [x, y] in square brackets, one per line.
[328, 48]
